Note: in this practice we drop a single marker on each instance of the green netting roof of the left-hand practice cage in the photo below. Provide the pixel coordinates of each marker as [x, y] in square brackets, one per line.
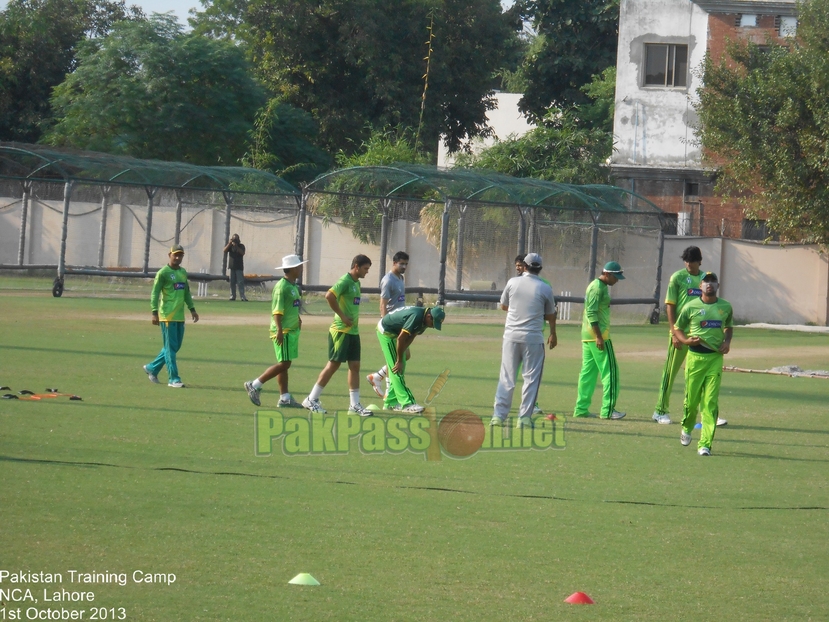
[46, 164]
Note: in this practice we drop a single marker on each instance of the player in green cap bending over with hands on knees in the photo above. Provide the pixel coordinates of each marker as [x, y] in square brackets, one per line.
[396, 331]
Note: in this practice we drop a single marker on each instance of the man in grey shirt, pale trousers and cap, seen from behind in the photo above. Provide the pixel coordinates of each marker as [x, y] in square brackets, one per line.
[529, 302]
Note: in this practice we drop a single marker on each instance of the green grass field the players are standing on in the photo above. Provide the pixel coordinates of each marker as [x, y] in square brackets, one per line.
[138, 476]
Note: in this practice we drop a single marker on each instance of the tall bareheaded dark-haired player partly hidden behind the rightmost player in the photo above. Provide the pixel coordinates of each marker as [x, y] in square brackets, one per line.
[683, 287]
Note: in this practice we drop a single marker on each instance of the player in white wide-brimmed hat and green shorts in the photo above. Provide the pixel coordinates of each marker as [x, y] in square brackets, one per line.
[285, 328]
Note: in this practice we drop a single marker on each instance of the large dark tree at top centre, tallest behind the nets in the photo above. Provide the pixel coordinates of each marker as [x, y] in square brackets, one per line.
[360, 64]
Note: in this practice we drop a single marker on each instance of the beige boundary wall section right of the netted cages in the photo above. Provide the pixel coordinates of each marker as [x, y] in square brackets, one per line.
[763, 282]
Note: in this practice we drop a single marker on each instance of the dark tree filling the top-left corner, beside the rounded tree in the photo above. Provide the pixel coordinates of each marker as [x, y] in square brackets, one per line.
[38, 43]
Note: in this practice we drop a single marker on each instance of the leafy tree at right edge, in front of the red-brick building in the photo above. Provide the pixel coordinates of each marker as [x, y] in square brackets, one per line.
[764, 122]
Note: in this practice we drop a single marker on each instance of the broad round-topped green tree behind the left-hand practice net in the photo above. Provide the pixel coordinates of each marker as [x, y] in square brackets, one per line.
[150, 91]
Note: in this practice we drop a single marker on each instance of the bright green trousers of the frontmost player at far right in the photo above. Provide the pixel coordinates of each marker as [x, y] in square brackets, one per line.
[703, 375]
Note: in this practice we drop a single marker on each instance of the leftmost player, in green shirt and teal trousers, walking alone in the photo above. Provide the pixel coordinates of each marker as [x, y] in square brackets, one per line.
[170, 295]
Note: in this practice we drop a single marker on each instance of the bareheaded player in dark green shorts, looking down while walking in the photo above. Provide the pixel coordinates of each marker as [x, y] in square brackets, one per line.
[343, 338]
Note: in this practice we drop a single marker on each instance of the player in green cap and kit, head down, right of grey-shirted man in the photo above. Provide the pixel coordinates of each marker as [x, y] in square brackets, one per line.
[597, 356]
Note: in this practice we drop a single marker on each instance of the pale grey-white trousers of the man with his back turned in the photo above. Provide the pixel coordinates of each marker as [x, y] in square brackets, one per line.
[513, 354]
